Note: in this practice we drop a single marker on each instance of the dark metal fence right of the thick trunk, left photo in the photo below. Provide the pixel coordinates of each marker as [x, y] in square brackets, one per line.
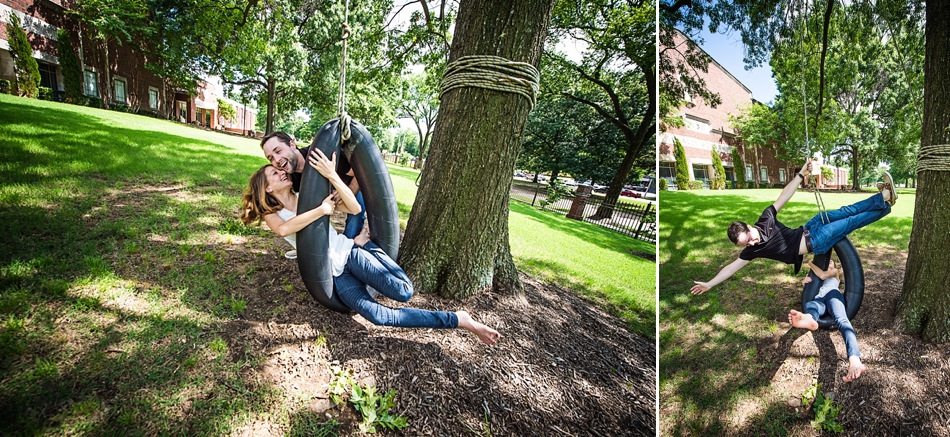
[626, 218]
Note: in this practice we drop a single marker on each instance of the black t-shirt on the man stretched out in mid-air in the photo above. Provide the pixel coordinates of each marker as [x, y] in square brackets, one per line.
[778, 242]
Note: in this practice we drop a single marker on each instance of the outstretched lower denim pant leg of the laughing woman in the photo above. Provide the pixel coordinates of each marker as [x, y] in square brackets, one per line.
[353, 293]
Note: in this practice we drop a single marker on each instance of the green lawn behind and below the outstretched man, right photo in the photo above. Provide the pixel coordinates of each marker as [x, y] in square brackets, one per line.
[711, 366]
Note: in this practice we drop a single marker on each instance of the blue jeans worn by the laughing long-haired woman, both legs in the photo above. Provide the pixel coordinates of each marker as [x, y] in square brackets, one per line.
[369, 265]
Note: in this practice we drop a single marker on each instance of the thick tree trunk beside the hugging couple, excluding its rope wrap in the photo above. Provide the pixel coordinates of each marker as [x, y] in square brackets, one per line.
[456, 242]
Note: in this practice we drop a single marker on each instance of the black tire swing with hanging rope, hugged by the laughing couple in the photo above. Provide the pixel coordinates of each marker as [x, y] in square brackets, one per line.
[382, 214]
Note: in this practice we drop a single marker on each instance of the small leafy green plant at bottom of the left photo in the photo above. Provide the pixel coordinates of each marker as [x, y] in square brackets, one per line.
[373, 408]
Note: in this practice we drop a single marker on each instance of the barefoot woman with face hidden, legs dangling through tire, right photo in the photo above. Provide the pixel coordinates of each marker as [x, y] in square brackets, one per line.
[831, 300]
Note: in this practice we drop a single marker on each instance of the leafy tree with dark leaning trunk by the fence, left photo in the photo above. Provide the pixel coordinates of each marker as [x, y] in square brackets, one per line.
[619, 66]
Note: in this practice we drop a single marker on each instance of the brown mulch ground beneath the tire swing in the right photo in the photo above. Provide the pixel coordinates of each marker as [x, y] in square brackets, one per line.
[906, 390]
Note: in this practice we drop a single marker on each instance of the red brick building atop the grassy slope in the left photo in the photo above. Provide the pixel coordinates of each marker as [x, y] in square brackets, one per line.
[125, 82]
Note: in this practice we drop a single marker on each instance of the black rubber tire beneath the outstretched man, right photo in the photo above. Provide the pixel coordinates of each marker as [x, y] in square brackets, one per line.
[850, 264]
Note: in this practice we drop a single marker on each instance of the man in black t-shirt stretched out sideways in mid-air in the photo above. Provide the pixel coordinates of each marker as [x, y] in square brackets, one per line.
[769, 238]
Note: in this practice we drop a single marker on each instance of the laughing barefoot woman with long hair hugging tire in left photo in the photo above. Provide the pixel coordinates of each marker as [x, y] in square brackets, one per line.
[356, 262]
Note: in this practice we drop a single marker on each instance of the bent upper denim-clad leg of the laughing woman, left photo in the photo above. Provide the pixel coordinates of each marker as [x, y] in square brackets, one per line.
[373, 267]
